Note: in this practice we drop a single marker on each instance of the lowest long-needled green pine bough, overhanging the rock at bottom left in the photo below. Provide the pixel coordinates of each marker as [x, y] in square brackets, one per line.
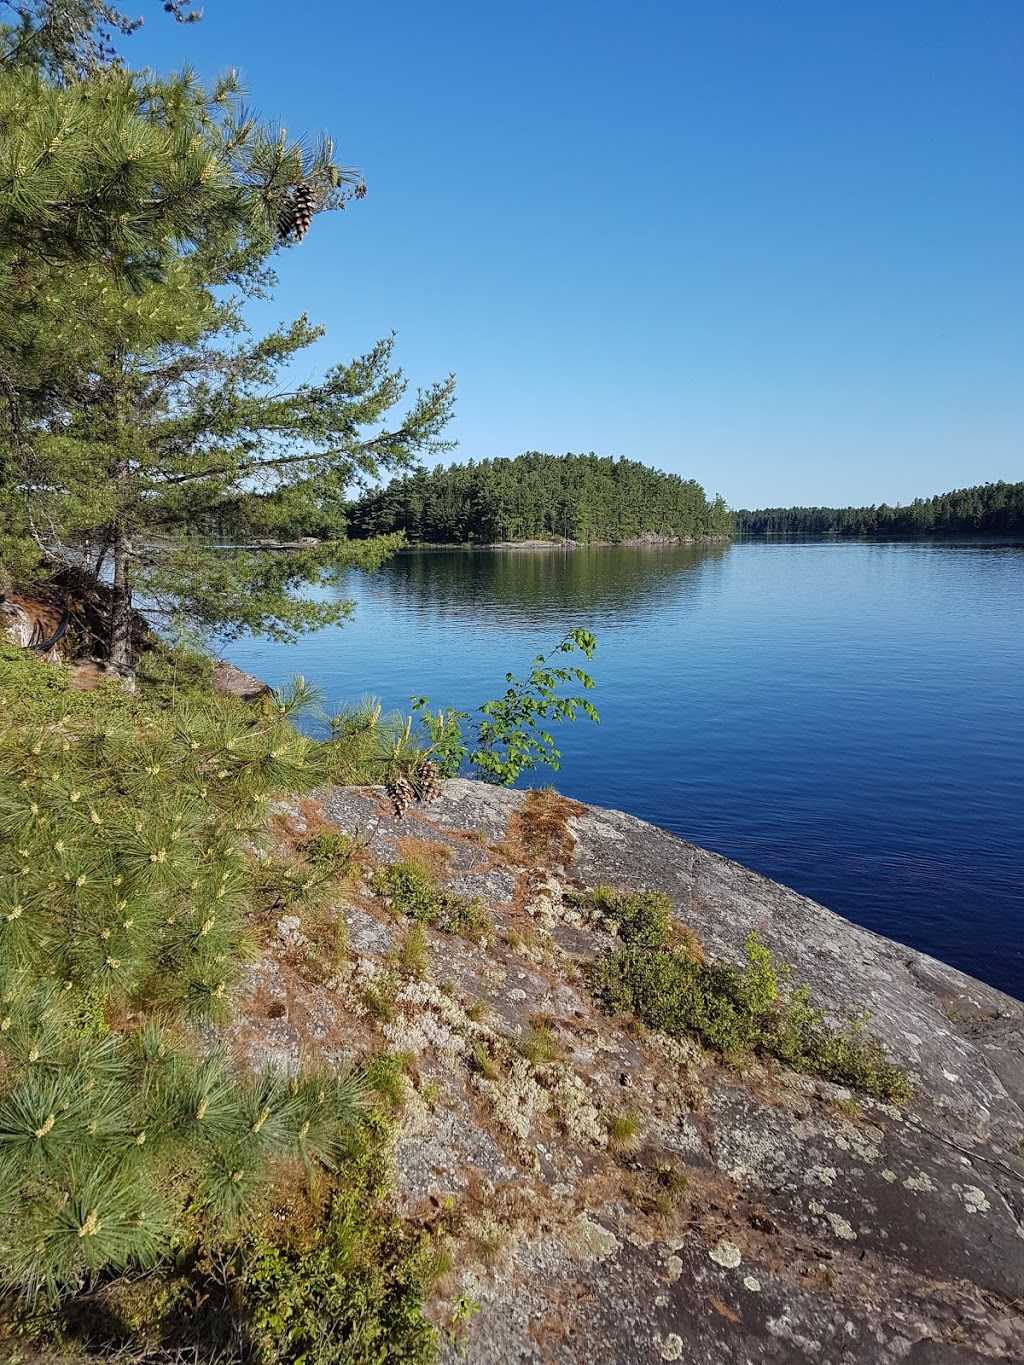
[104, 1136]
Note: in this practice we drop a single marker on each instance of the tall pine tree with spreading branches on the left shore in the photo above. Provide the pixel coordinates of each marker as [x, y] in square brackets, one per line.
[137, 216]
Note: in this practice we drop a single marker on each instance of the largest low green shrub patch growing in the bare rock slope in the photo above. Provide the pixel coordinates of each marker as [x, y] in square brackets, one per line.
[743, 1011]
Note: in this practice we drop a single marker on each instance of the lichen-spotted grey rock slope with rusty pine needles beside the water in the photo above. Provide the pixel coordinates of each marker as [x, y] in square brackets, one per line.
[741, 1214]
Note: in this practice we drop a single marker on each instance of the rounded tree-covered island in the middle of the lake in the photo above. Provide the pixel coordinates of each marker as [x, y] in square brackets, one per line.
[578, 498]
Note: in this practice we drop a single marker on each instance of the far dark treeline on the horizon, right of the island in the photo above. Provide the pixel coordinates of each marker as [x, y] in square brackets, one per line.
[988, 508]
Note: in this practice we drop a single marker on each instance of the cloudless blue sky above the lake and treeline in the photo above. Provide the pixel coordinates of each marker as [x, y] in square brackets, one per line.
[772, 245]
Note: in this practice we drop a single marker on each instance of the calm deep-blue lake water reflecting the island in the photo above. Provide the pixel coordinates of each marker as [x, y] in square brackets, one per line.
[847, 719]
